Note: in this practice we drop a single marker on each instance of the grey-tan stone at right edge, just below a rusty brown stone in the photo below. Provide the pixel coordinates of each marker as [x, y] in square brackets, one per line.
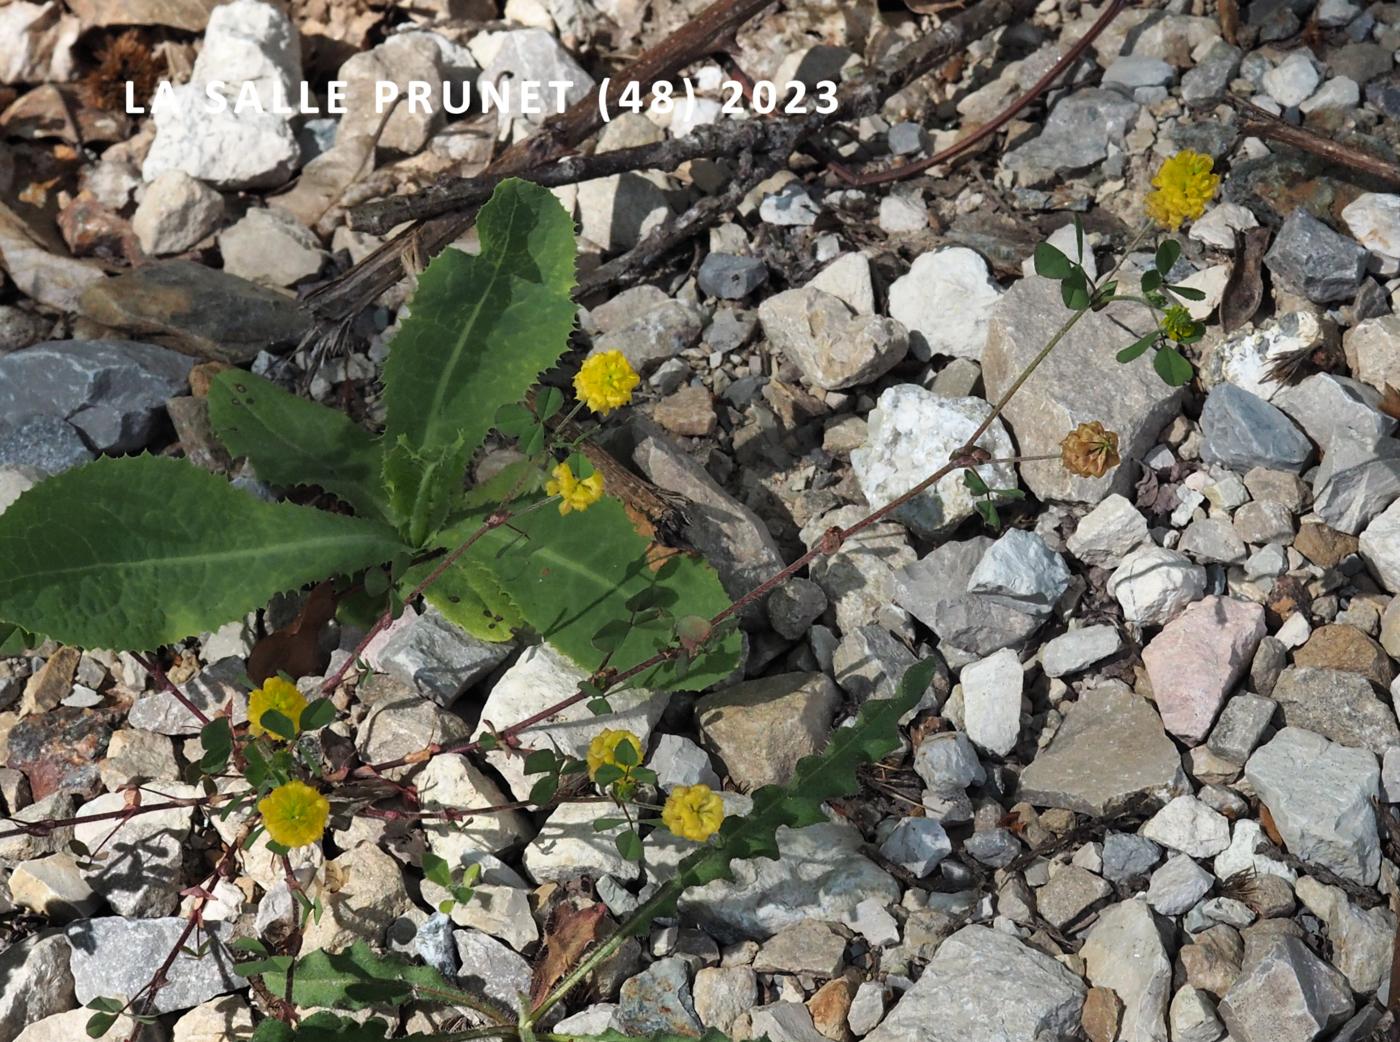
[1339, 705]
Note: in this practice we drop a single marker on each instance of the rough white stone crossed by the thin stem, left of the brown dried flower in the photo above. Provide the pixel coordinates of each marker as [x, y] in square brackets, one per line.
[909, 431]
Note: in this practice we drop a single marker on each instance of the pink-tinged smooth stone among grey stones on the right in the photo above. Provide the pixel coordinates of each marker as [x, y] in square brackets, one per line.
[1196, 660]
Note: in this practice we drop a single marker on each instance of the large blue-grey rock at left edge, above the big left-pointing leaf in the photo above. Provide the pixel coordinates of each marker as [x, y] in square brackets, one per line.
[113, 391]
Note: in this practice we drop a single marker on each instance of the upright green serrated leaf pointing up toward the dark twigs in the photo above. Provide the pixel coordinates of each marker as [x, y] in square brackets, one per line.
[484, 328]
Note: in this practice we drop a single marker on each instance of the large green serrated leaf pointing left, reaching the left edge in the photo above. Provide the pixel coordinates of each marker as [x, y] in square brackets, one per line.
[138, 553]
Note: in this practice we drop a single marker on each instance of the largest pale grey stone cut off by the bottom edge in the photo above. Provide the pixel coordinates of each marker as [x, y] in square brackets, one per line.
[986, 987]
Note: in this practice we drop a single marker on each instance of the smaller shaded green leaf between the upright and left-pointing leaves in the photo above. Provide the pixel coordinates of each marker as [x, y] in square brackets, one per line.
[295, 442]
